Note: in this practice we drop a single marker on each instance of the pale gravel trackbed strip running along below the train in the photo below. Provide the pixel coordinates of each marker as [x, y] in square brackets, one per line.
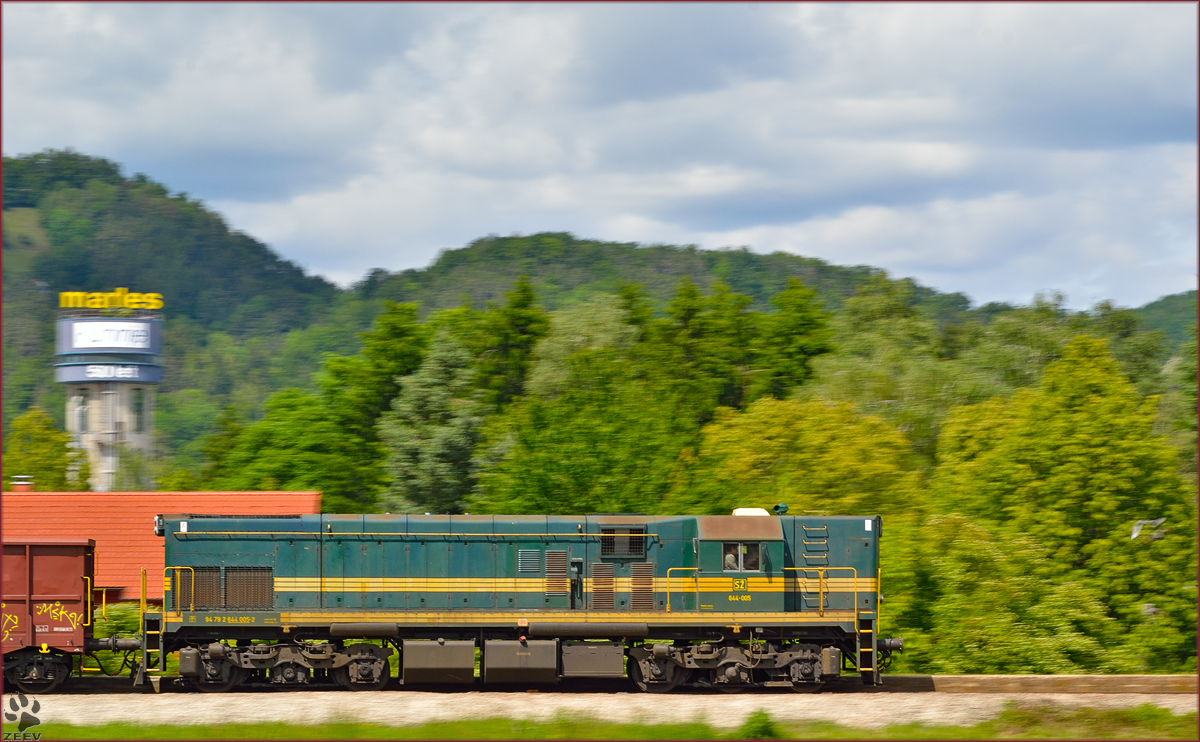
[931, 701]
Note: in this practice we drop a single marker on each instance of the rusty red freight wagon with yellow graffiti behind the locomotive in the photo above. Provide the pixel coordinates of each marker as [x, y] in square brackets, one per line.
[47, 612]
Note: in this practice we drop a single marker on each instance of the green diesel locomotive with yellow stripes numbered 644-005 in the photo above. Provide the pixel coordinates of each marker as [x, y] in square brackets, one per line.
[728, 602]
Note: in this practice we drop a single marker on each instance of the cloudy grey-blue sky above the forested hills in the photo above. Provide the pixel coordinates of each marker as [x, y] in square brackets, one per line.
[994, 149]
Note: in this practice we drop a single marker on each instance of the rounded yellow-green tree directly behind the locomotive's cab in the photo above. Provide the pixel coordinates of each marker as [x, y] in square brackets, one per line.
[812, 456]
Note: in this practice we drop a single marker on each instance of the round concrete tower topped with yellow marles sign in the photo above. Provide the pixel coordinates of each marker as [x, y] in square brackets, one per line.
[107, 351]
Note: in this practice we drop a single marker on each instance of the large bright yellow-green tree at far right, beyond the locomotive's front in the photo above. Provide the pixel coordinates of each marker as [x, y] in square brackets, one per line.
[1073, 465]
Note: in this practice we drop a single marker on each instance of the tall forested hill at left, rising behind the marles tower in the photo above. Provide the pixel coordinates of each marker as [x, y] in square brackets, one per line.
[239, 318]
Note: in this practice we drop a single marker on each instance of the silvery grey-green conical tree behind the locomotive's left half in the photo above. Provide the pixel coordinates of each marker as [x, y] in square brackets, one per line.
[431, 432]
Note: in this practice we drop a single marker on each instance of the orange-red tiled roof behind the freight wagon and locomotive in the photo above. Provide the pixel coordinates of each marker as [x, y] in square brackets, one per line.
[123, 526]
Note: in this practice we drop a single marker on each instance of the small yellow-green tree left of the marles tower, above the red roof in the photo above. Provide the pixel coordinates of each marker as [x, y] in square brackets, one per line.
[37, 448]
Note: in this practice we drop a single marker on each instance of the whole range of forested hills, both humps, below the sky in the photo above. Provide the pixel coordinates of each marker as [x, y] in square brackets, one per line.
[244, 324]
